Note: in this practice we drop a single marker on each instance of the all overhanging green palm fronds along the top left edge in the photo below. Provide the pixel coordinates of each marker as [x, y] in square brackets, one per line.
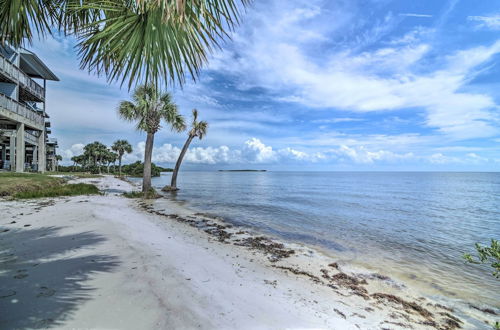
[134, 40]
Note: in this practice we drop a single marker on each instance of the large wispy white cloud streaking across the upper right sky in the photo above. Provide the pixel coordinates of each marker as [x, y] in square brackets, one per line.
[381, 79]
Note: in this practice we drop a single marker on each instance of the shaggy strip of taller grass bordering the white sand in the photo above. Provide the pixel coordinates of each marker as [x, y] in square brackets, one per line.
[61, 190]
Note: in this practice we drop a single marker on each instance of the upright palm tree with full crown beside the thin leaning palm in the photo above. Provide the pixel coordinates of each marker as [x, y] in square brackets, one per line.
[148, 108]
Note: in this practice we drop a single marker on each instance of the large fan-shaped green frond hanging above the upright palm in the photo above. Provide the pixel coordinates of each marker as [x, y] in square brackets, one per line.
[155, 41]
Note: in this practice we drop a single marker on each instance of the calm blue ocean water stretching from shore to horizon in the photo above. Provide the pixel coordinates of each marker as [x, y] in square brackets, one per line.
[414, 226]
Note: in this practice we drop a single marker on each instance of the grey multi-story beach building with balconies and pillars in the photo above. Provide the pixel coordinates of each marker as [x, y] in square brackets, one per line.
[24, 124]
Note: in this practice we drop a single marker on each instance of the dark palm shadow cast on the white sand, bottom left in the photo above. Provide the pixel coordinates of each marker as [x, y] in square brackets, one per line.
[44, 276]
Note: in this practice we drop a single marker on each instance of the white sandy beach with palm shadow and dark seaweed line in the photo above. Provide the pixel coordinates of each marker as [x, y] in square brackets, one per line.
[194, 271]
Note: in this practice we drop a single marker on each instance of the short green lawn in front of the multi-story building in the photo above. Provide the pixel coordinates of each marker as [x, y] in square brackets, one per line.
[14, 183]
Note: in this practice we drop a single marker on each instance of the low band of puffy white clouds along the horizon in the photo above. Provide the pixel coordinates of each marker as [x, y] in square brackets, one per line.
[254, 151]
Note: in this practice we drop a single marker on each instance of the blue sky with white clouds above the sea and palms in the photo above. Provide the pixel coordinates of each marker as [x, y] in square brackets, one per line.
[319, 85]
